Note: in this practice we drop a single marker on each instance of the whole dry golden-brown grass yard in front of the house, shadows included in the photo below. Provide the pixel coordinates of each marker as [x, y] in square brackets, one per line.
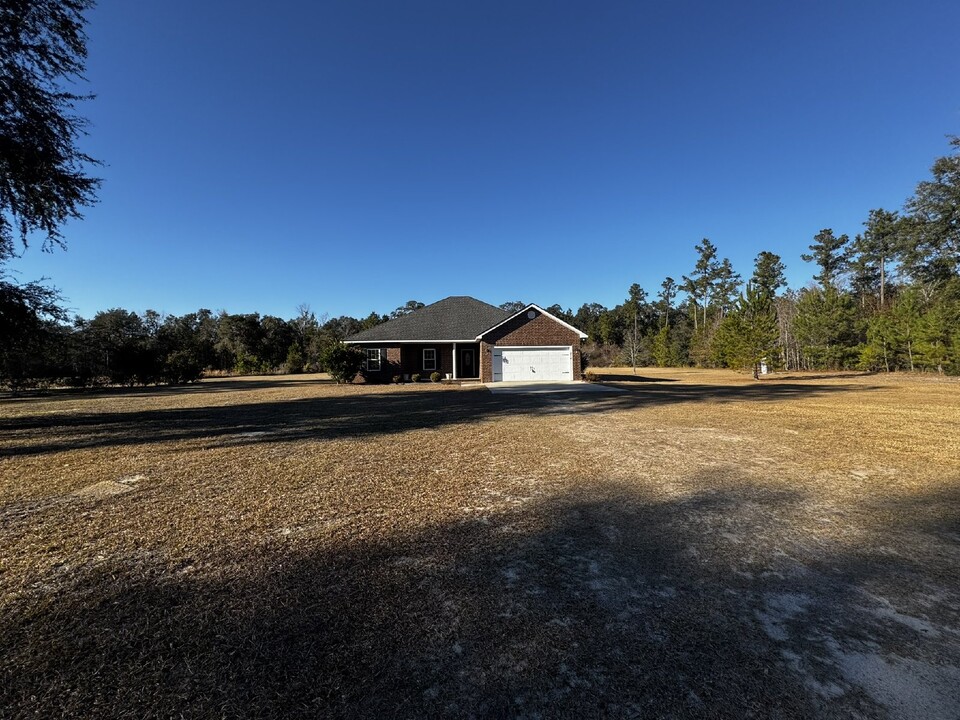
[696, 545]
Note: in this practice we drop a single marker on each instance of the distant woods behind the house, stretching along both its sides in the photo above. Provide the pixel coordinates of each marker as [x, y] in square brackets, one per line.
[887, 298]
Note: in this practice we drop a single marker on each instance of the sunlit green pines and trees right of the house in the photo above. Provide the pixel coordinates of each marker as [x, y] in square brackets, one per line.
[887, 299]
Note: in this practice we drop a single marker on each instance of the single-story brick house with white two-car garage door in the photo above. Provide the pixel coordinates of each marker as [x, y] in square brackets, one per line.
[464, 338]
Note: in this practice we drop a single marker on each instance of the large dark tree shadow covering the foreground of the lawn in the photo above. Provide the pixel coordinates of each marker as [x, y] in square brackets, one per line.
[602, 606]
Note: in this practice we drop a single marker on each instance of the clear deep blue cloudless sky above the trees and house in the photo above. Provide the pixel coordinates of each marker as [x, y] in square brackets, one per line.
[357, 154]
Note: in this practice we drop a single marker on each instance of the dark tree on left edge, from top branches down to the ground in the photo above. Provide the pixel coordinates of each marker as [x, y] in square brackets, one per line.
[43, 174]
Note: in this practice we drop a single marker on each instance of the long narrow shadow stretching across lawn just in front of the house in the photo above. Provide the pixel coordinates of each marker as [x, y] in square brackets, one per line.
[369, 413]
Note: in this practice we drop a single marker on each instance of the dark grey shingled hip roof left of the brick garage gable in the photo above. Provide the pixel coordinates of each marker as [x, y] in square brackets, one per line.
[453, 318]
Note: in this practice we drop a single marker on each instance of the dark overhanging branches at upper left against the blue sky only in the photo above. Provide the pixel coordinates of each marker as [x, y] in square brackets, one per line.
[43, 174]
